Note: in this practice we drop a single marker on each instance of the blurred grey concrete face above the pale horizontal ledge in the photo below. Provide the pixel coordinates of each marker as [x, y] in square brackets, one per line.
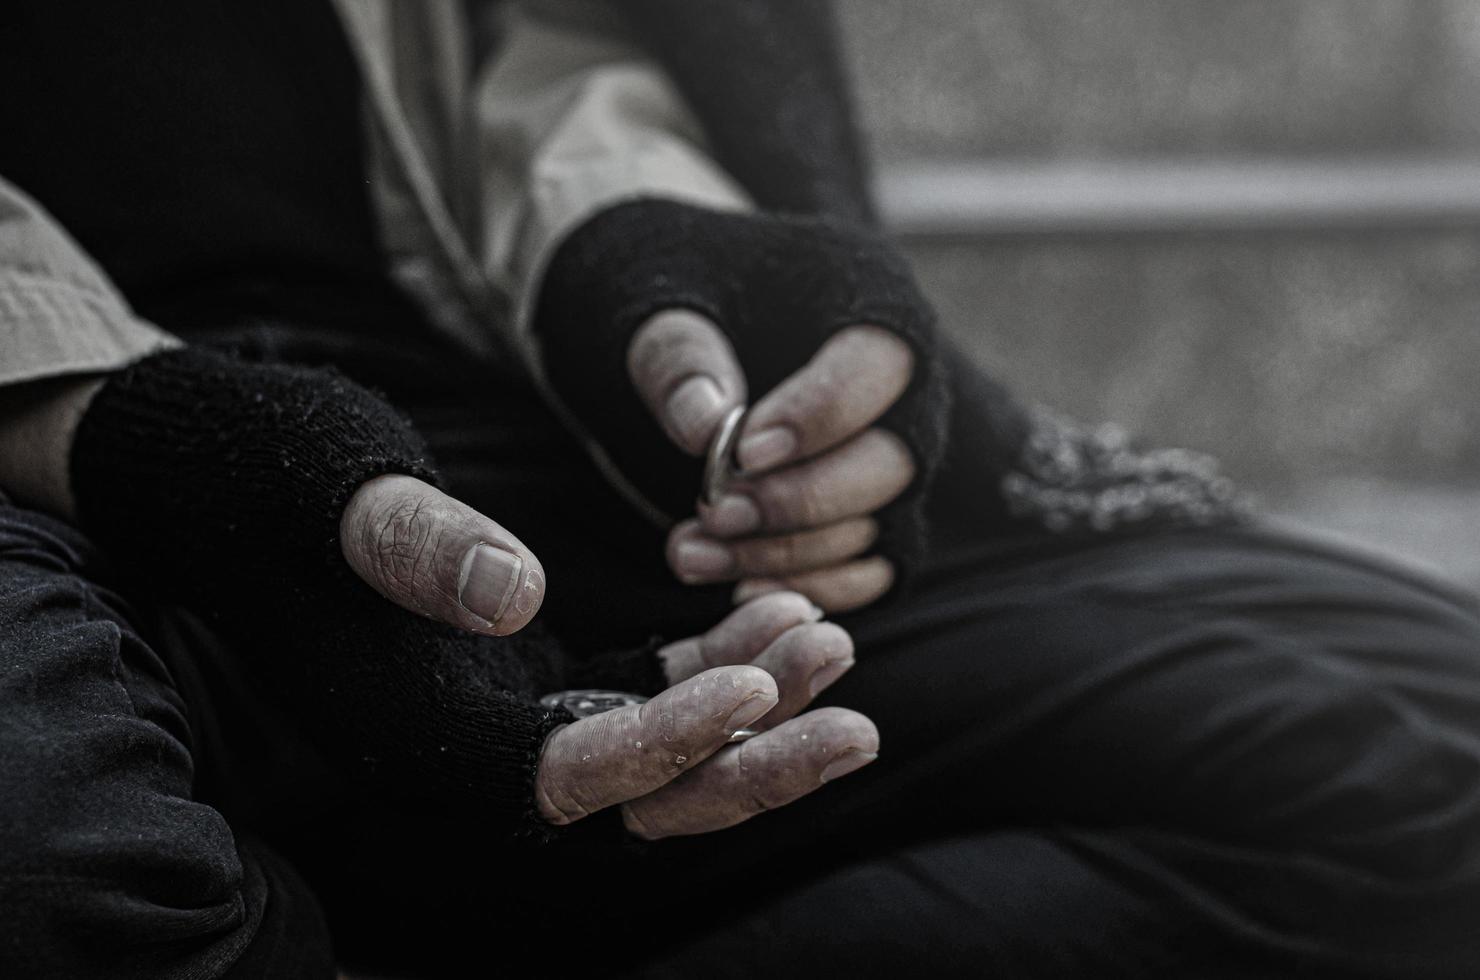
[1050, 78]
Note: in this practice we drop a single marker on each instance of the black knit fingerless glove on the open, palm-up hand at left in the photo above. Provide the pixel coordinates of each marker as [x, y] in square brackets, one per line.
[220, 485]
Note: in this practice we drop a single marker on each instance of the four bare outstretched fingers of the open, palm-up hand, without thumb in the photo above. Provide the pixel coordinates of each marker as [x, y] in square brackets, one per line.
[668, 765]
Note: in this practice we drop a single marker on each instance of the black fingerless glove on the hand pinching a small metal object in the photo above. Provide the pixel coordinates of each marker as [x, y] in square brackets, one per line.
[778, 286]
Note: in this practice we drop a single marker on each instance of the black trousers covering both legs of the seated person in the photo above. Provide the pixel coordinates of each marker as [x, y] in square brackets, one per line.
[1219, 753]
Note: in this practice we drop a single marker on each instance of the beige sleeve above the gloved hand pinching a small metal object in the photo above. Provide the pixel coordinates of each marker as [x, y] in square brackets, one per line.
[573, 118]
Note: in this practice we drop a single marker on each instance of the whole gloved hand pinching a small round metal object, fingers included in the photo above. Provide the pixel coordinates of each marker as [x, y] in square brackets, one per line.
[830, 329]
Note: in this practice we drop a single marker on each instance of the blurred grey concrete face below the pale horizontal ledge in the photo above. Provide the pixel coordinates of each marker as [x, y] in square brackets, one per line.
[1293, 358]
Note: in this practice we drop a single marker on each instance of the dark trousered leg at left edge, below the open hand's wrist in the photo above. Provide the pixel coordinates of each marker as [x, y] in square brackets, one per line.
[109, 865]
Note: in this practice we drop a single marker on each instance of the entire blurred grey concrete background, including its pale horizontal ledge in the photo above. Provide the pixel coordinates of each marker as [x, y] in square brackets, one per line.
[1250, 227]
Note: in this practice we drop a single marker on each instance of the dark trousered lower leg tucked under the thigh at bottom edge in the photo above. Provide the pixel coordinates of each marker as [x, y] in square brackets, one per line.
[1007, 904]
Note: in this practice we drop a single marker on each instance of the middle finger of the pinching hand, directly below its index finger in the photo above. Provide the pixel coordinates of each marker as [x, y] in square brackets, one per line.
[853, 480]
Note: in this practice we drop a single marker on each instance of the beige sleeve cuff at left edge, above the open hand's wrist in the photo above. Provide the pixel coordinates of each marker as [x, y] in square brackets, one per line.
[58, 312]
